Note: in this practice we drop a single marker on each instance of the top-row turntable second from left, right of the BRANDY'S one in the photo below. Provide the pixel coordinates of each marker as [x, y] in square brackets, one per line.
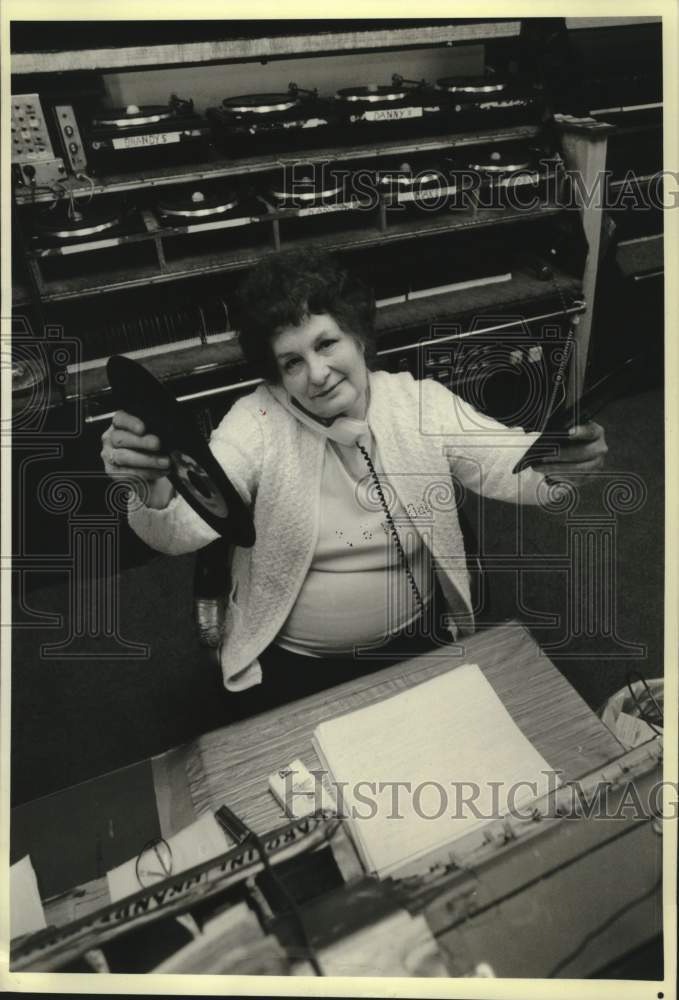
[277, 120]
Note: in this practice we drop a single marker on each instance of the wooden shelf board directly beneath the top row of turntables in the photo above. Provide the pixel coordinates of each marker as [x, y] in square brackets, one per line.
[162, 176]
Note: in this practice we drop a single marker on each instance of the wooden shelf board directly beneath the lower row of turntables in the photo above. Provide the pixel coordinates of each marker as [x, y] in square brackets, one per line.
[239, 259]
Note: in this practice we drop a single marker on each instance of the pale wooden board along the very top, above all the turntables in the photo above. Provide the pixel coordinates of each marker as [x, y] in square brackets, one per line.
[239, 49]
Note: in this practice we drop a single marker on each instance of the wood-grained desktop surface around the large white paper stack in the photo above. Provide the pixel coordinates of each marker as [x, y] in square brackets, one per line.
[236, 761]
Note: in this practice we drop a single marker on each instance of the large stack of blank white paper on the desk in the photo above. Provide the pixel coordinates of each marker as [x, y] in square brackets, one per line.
[421, 769]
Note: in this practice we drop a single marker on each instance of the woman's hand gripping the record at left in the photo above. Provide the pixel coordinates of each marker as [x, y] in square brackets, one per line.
[129, 452]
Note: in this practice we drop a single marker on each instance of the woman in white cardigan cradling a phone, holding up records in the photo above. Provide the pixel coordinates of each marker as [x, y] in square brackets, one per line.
[349, 475]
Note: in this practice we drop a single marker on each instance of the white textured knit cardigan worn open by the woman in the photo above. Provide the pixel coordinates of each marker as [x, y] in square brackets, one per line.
[423, 432]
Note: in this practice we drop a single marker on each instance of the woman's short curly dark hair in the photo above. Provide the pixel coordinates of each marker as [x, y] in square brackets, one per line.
[285, 288]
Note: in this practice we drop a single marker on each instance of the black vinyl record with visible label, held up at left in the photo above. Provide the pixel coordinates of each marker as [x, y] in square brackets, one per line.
[194, 471]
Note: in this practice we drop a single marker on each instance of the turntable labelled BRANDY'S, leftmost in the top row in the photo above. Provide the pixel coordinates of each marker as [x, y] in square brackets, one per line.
[134, 135]
